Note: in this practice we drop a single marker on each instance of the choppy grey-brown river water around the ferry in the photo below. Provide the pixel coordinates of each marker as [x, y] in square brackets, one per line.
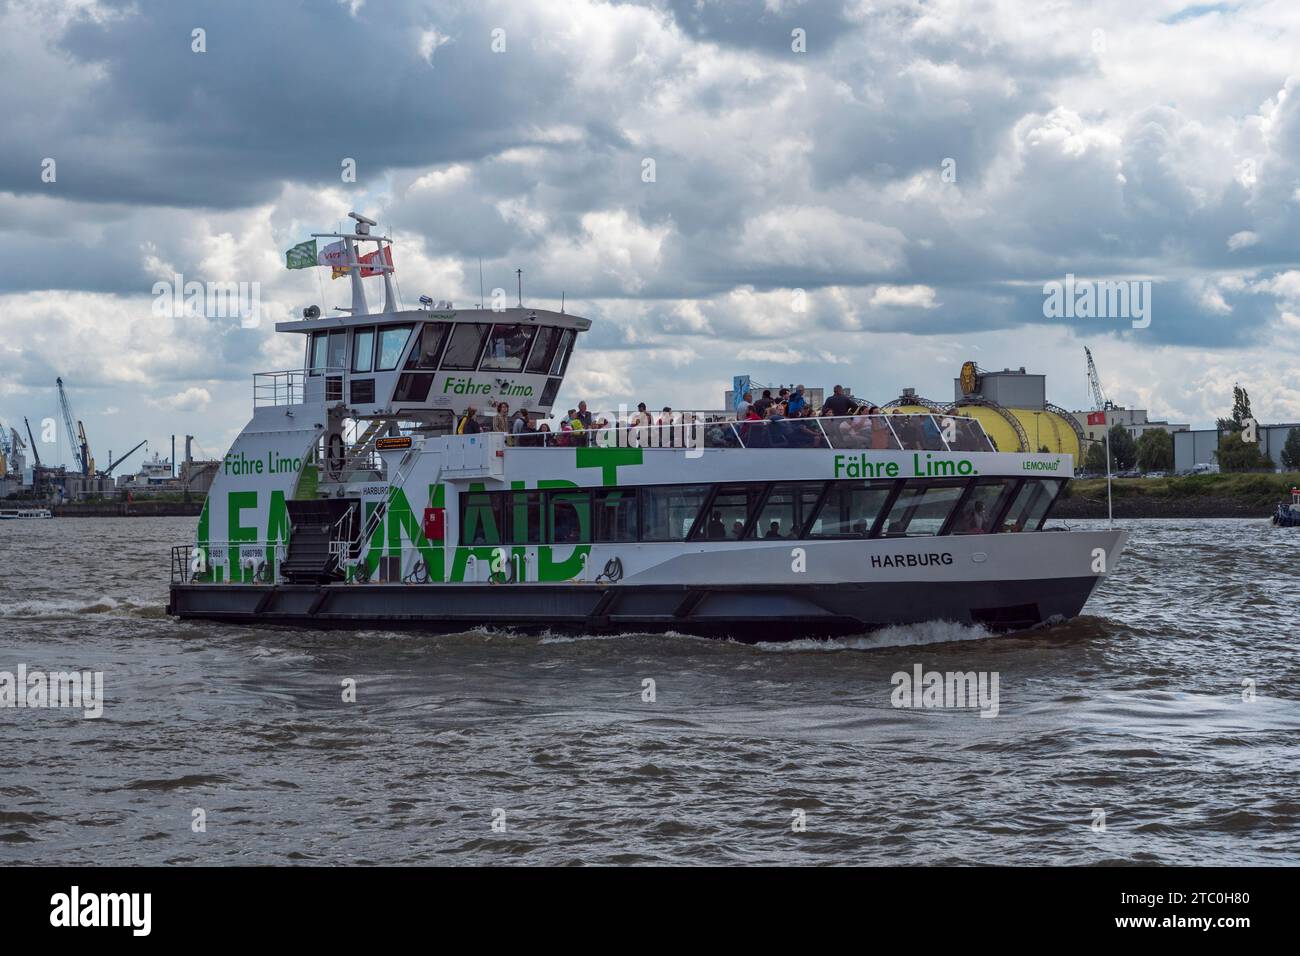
[1136, 711]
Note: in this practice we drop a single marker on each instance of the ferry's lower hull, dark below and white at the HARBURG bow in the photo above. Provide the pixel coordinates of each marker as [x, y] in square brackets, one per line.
[1000, 582]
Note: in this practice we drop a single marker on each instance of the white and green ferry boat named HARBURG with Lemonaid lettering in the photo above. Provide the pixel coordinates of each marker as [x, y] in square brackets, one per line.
[350, 500]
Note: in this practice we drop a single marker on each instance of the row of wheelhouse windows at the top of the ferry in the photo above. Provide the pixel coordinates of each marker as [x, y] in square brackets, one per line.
[460, 347]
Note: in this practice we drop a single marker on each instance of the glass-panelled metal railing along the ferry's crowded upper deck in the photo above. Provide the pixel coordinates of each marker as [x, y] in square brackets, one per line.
[850, 432]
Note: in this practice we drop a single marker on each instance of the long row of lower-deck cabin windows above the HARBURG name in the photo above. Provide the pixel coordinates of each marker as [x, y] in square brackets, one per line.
[757, 511]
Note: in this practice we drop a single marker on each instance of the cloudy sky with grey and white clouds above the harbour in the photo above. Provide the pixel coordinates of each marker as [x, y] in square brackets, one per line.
[918, 170]
